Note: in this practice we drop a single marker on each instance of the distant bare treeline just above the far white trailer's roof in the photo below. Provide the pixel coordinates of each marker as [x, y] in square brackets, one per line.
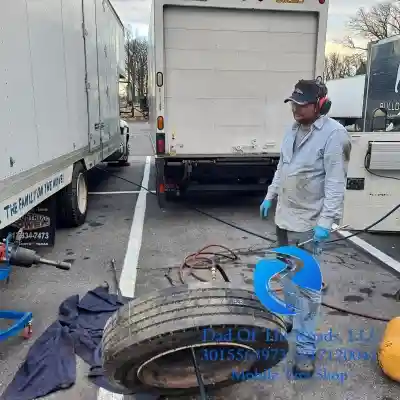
[339, 66]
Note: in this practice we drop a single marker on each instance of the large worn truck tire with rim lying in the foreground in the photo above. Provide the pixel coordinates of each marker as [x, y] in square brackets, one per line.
[147, 344]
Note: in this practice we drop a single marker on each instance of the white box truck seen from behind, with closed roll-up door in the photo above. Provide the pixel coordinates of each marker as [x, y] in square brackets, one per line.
[219, 71]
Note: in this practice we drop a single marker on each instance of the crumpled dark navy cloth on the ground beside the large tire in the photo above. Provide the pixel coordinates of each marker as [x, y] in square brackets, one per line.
[50, 364]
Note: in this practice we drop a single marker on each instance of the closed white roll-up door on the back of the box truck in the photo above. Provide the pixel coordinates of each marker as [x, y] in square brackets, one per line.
[228, 72]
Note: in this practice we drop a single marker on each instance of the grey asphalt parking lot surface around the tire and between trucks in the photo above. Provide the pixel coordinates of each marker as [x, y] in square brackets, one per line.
[125, 223]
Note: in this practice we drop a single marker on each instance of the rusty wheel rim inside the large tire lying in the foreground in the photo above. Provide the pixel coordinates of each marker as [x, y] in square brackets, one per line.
[174, 369]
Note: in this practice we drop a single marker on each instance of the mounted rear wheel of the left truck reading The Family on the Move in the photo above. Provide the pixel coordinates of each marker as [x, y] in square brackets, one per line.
[72, 201]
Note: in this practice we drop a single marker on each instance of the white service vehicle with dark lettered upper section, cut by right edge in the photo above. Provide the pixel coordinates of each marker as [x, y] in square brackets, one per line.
[374, 170]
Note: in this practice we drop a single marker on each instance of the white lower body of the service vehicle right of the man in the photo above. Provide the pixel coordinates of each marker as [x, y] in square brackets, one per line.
[372, 182]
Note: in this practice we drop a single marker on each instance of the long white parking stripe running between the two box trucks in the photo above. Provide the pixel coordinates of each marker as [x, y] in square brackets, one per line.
[127, 280]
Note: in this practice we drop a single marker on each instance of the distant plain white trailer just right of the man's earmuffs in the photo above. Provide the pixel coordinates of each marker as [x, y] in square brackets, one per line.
[347, 96]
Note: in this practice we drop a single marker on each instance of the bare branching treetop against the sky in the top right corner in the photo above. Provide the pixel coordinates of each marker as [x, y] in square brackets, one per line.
[379, 22]
